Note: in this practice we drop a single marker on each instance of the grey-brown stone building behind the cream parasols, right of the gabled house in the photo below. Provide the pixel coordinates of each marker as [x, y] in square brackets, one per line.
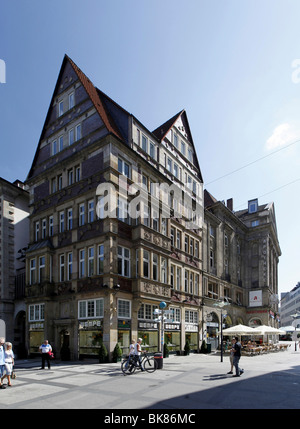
[240, 261]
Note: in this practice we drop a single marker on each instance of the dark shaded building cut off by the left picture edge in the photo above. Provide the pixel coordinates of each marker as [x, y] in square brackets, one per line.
[14, 237]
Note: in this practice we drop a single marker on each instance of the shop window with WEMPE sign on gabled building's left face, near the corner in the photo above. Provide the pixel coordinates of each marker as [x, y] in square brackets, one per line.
[90, 336]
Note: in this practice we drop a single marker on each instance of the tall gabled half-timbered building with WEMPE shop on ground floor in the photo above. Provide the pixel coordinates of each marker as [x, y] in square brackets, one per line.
[102, 256]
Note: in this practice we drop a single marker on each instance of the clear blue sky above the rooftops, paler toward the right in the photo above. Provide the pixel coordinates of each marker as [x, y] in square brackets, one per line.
[232, 65]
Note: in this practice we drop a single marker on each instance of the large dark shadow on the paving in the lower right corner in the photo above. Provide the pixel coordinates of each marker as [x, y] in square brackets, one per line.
[275, 390]
